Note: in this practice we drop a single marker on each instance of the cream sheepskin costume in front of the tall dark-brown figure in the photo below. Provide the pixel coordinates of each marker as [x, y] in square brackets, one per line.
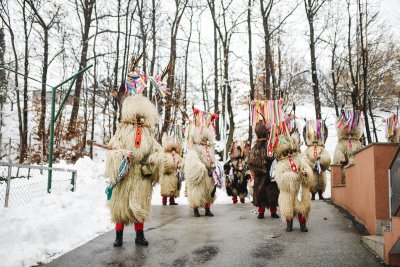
[293, 175]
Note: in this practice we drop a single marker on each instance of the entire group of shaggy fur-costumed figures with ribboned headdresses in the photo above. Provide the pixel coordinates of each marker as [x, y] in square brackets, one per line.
[273, 170]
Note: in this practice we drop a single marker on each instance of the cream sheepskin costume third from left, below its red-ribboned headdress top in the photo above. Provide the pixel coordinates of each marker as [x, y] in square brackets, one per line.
[199, 168]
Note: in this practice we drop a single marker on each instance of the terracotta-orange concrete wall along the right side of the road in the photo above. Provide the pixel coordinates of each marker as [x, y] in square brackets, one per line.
[365, 191]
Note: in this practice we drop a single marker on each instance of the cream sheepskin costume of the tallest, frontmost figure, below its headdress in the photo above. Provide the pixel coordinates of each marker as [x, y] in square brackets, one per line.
[131, 197]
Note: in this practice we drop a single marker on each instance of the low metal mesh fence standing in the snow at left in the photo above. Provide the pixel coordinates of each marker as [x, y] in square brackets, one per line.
[19, 183]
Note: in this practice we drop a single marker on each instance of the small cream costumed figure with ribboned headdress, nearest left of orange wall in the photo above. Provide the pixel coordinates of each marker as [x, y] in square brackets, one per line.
[315, 134]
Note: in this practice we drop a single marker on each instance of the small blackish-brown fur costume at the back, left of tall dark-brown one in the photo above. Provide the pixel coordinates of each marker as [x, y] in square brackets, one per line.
[236, 171]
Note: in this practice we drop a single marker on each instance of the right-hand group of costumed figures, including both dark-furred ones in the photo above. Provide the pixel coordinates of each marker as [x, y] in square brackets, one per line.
[275, 169]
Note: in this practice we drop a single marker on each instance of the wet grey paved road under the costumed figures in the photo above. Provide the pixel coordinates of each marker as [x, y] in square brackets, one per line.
[234, 237]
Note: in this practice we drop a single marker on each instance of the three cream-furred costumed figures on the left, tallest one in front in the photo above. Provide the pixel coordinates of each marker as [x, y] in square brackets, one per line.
[135, 161]
